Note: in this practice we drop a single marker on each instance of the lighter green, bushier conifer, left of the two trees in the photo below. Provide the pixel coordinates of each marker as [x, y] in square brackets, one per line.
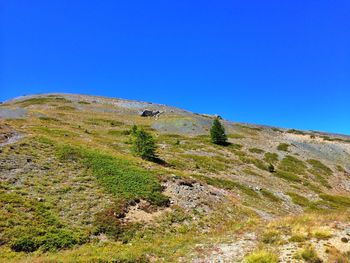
[143, 144]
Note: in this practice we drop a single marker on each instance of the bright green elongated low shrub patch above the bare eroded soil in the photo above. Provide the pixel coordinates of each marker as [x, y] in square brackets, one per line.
[119, 177]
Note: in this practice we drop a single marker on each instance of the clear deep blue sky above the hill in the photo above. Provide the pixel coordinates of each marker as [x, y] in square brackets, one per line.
[283, 63]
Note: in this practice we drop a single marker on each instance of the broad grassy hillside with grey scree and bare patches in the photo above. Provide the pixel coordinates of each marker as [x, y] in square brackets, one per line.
[72, 191]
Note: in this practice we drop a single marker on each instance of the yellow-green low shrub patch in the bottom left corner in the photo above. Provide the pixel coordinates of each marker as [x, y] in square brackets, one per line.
[28, 225]
